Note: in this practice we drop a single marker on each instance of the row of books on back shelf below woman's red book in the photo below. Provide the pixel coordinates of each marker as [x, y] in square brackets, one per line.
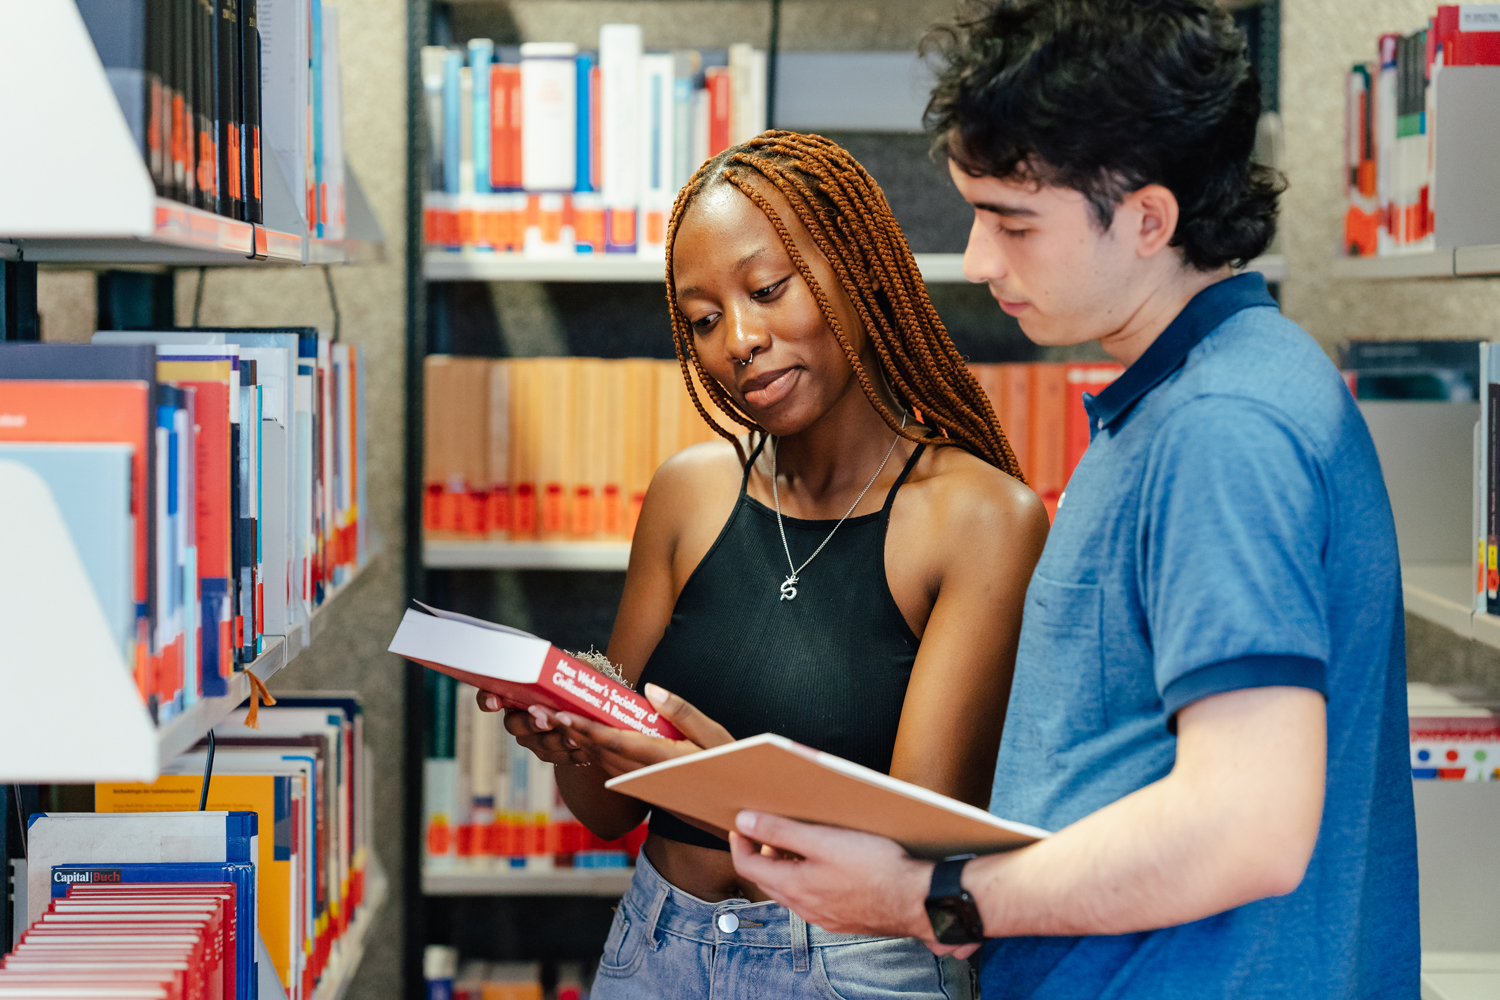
[490, 803]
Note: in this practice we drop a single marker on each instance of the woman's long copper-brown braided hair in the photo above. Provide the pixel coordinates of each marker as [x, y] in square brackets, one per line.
[851, 224]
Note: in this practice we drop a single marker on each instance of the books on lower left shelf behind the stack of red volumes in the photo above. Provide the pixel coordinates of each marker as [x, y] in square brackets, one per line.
[289, 822]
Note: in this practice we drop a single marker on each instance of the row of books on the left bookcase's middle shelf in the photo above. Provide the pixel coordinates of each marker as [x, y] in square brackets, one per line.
[212, 482]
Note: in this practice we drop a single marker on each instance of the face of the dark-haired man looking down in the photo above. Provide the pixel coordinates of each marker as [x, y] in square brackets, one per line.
[1046, 262]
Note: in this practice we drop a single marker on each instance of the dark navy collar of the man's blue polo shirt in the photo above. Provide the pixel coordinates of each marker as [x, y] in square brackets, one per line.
[1201, 317]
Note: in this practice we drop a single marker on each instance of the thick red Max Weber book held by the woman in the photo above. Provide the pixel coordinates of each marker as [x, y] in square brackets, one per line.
[523, 669]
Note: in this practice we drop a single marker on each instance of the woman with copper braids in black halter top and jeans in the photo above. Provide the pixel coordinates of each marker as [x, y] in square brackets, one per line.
[848, 575]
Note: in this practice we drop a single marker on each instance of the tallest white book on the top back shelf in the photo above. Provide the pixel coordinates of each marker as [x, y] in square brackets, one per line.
[620, 82]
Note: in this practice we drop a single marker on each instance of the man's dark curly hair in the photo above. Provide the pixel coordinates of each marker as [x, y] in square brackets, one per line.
[1106, 97]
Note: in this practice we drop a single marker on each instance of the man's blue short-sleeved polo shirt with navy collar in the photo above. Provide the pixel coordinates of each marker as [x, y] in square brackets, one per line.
[1226, 530]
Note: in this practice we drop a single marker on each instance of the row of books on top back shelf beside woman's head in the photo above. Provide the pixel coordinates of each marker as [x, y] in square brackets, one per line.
[550, 151]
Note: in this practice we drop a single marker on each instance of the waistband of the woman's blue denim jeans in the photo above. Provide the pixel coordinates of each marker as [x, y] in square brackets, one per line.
[731, 923]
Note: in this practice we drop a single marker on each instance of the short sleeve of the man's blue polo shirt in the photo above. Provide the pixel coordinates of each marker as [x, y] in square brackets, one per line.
[1234, 528]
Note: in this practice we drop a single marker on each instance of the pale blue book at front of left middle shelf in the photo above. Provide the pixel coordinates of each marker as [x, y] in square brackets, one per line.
[92, 488]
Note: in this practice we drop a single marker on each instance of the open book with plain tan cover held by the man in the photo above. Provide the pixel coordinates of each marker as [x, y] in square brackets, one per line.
[773, 774]
